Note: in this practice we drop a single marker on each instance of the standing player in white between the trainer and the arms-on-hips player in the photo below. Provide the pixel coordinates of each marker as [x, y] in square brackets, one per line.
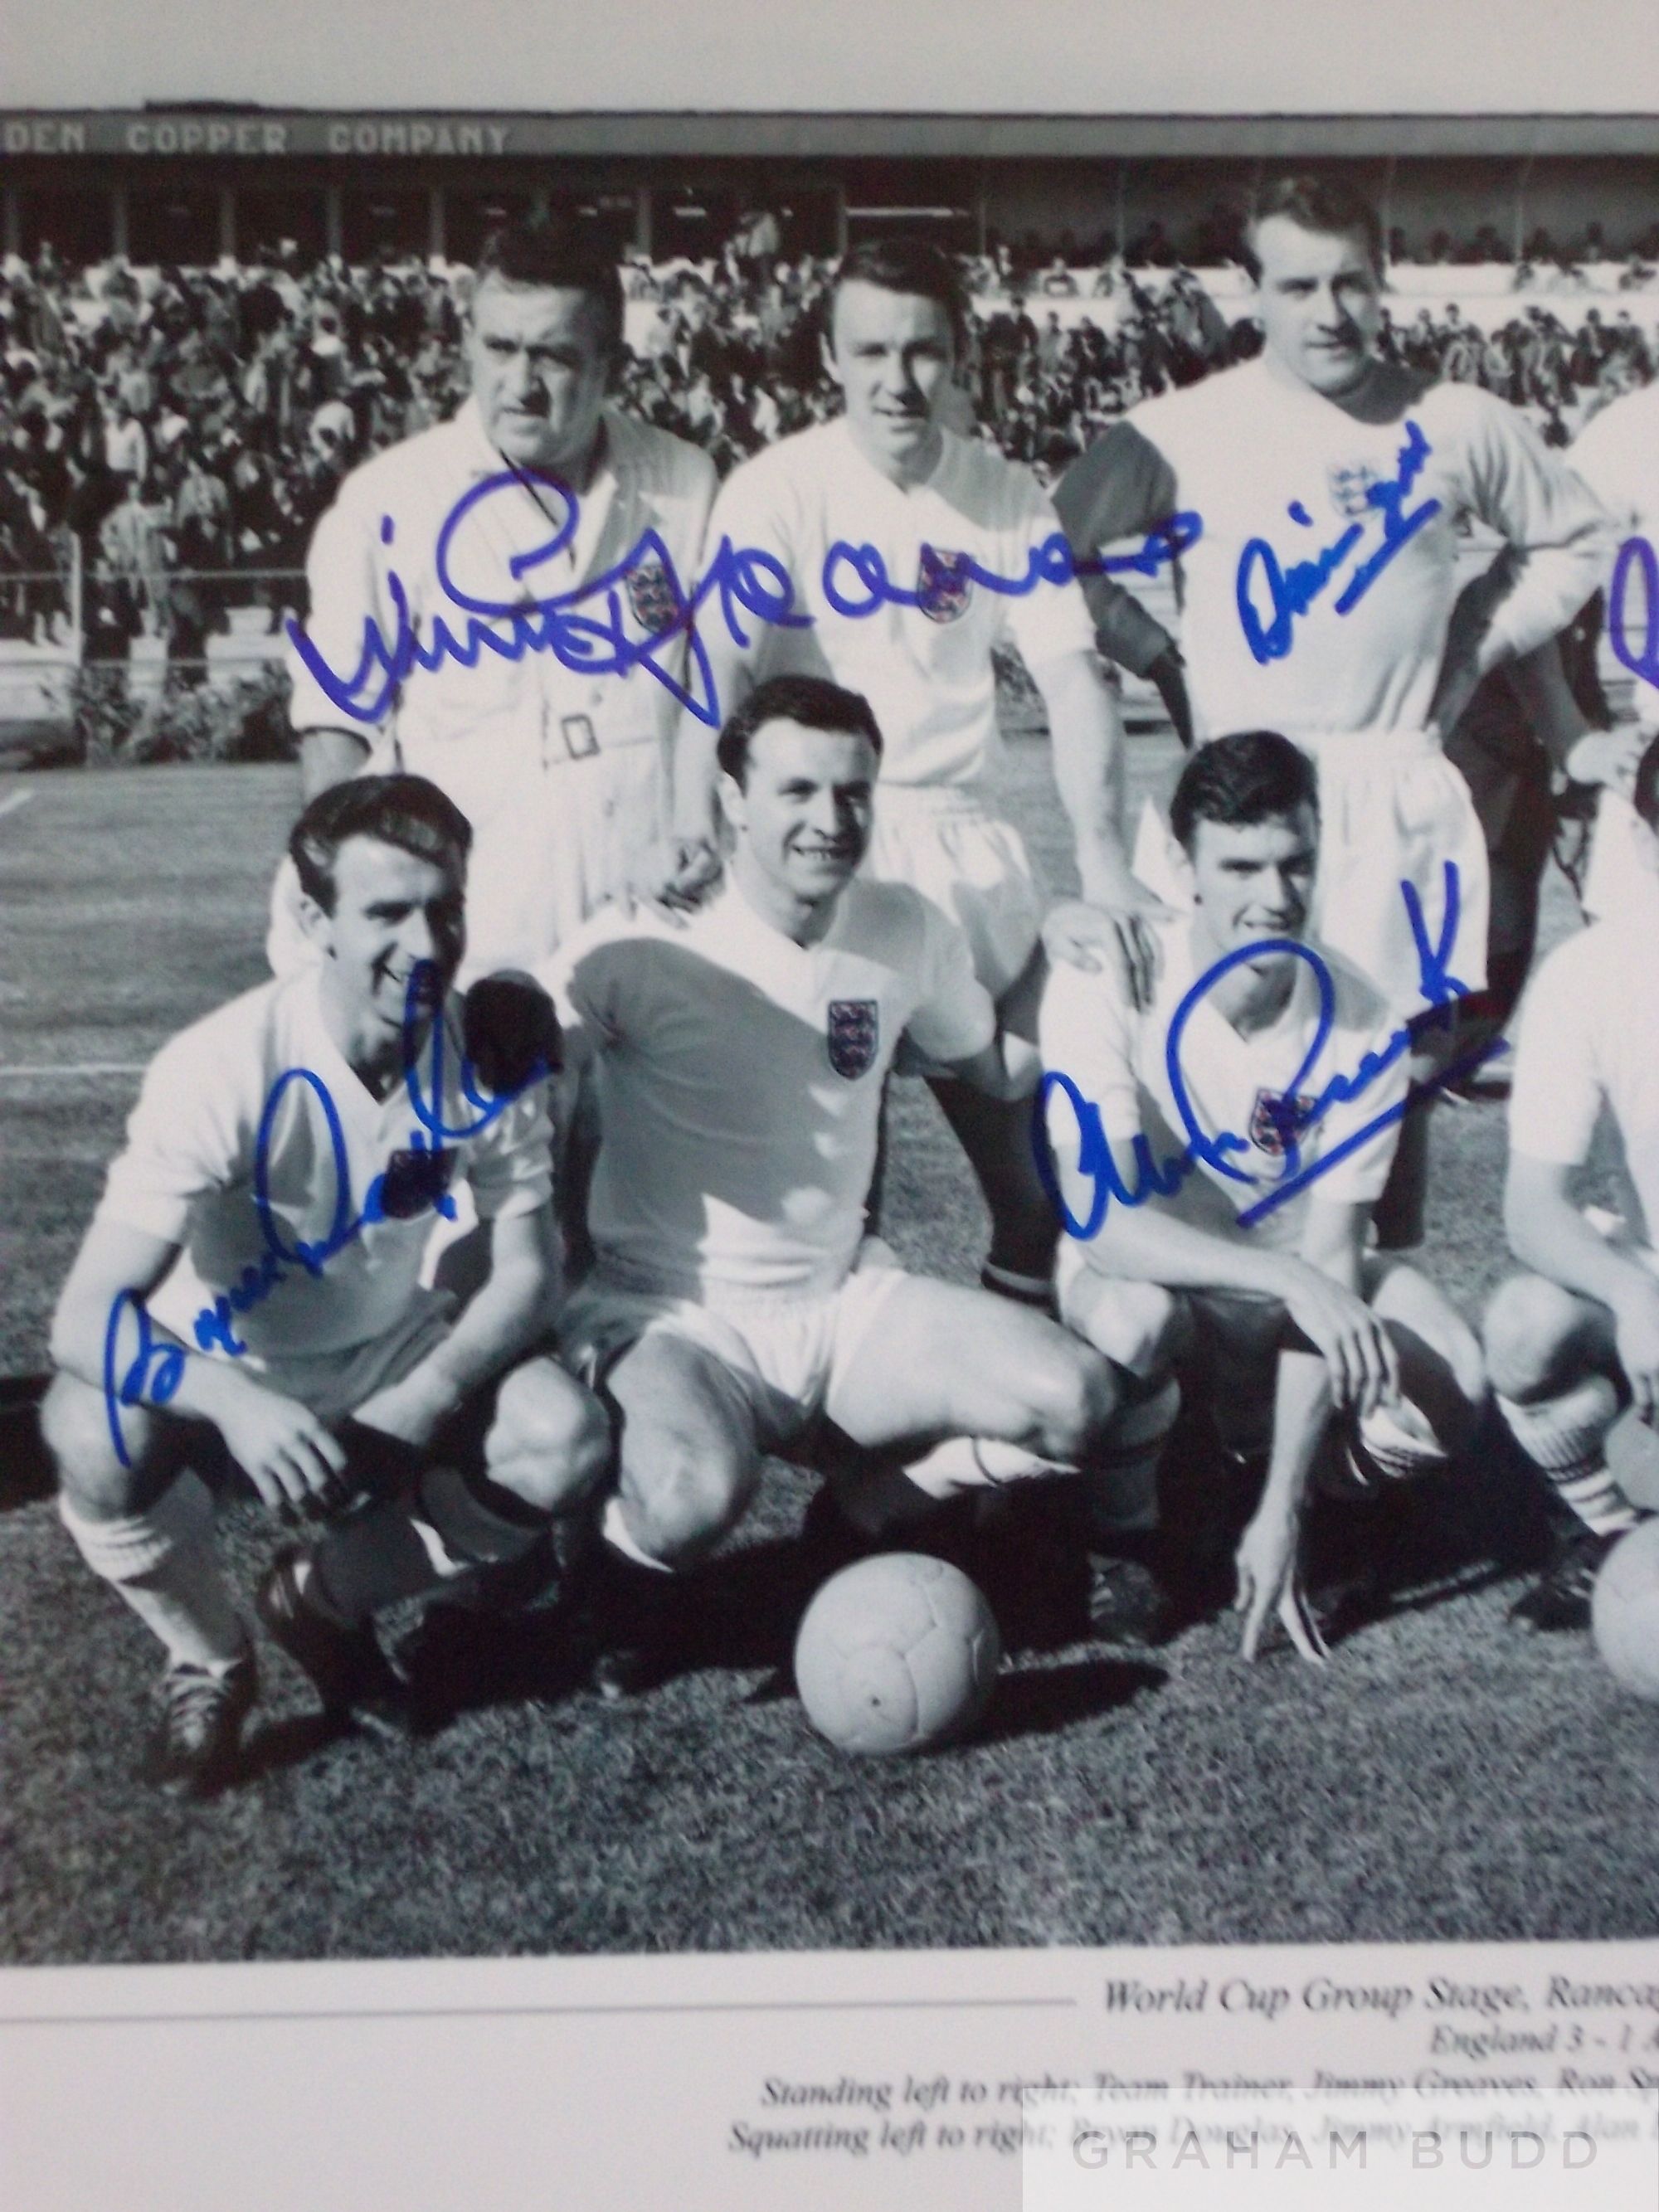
[915, 552]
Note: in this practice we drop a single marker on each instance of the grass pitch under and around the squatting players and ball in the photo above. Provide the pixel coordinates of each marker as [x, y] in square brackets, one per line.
[1443, 1780]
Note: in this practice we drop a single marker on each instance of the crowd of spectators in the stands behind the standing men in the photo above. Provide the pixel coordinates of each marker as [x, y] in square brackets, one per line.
[187, 428]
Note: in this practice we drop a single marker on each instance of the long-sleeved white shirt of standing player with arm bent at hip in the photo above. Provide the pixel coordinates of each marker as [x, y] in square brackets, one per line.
[1282, 479]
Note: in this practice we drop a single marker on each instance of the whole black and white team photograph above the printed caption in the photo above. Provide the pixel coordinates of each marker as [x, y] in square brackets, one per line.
[828, 1003]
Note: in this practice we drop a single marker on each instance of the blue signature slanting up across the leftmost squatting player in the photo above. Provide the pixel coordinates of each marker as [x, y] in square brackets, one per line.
[156, 1368]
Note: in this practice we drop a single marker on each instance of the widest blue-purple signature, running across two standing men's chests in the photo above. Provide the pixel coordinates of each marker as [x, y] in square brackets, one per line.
[585, 629]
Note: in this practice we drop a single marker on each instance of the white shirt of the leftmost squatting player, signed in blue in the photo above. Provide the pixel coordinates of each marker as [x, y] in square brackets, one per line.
[344, 1173]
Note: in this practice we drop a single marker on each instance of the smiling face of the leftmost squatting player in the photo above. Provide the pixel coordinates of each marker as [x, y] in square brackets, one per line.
[395, 915]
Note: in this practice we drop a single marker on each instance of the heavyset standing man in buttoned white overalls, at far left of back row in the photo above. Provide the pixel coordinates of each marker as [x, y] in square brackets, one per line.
[474, 532]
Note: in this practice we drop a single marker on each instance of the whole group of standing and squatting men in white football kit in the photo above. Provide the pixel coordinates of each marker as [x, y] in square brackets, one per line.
[1193, 1089]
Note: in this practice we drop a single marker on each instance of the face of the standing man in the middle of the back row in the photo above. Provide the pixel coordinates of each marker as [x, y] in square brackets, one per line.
[893, 355]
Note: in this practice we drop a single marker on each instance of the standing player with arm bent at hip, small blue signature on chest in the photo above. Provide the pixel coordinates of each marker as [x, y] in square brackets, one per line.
[1324, 596]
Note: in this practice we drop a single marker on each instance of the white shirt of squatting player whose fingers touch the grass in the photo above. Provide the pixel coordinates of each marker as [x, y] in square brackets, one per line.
[1253, 1087]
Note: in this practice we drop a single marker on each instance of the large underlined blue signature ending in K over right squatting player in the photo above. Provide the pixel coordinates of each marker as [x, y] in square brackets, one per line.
[1293, 1116]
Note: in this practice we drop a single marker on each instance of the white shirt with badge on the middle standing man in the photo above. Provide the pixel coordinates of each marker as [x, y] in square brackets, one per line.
[924, 669]
